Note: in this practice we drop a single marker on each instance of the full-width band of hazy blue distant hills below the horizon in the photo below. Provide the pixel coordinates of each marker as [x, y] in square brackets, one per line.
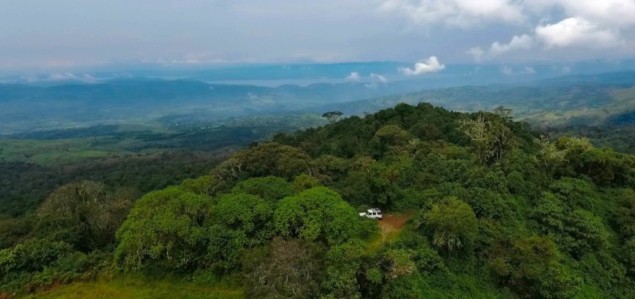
[547, 102]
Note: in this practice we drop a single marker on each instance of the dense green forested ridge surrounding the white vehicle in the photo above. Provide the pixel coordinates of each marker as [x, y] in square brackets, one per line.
[495, 209]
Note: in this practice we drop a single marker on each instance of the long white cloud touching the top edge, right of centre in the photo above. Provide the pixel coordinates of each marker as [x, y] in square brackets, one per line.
[456, 13]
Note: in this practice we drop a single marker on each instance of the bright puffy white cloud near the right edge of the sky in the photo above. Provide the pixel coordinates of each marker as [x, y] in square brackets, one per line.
[577, 31]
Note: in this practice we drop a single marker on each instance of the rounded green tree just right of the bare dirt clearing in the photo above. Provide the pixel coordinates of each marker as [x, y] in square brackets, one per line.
[452, 223]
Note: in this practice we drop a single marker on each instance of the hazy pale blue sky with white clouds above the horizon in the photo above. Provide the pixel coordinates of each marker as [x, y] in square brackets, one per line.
[427, 33]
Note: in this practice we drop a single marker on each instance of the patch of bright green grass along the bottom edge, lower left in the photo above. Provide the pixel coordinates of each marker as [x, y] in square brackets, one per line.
[139, 288]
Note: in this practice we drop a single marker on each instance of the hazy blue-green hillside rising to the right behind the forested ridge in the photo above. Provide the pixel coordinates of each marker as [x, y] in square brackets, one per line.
[589, 99]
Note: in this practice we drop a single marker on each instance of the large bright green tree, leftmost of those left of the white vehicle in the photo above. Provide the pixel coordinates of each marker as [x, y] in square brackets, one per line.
[170, 226]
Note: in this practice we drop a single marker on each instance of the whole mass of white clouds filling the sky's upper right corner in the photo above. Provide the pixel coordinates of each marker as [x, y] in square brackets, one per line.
[543, 25]
